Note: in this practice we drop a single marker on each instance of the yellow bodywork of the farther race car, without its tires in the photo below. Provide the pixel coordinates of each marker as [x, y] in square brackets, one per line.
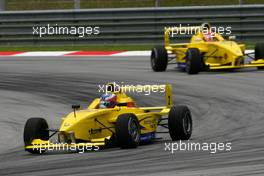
[217, 54]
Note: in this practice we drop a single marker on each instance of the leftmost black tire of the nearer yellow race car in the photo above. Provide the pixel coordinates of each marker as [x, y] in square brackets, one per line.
[35, 128]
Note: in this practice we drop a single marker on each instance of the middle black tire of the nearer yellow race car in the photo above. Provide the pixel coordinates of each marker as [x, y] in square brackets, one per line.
[127, 131]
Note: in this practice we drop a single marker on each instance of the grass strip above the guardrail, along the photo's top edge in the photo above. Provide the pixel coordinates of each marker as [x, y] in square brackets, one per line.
[69, 4]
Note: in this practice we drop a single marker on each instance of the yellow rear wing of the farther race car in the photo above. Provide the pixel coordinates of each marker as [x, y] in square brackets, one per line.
[170, 31]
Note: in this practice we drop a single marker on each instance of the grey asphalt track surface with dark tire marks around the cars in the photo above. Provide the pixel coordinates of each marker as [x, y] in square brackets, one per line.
[226, 107]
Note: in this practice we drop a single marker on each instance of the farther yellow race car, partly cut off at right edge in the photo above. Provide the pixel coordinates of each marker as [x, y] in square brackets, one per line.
[206, 51]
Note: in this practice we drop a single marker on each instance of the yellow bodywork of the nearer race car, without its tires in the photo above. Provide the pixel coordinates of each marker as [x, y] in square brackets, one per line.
[93, 125]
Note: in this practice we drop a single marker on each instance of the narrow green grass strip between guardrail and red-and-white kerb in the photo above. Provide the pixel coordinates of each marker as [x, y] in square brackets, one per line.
[77, 48]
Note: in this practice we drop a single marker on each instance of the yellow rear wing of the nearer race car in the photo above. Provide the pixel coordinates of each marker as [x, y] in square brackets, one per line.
[166, 88]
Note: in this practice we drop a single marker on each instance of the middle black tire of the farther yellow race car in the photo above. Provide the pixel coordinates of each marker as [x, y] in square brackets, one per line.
[193, 61]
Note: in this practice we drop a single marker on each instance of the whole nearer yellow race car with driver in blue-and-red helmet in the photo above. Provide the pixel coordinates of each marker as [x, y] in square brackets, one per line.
[112, 120]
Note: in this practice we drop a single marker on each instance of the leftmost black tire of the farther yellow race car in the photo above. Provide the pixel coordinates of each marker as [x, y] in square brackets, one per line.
[159, 59]
